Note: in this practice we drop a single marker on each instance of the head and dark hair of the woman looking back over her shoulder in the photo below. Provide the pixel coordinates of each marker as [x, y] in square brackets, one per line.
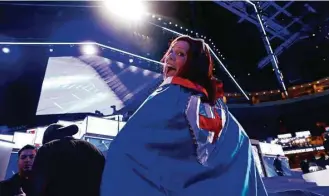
[190, 58]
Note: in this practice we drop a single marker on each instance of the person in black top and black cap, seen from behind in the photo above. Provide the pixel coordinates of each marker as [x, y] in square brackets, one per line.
[65, 166]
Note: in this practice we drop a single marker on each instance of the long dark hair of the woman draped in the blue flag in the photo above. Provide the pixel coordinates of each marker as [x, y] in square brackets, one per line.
[198, 67]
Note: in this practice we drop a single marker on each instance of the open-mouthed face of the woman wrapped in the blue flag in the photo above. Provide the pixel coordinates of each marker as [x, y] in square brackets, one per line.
[175, 59]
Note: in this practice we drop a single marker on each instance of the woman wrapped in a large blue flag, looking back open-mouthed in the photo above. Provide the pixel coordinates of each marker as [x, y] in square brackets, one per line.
[182, 140]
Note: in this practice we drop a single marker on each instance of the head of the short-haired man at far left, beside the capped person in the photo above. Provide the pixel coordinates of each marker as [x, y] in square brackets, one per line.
[26, 157]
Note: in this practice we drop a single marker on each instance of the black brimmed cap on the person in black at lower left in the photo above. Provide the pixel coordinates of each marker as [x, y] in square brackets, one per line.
[57, 131]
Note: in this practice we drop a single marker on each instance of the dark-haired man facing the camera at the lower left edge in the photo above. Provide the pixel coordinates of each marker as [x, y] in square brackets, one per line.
[20, 183]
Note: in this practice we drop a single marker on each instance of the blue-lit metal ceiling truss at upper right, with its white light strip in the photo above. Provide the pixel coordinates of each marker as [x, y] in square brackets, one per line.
[275, 22]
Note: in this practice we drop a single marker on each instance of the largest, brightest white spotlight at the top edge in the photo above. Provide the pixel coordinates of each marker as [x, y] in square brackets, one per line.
[132, 10]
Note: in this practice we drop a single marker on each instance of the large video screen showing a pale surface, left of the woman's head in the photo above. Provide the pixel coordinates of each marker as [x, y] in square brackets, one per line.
[88, 83]
